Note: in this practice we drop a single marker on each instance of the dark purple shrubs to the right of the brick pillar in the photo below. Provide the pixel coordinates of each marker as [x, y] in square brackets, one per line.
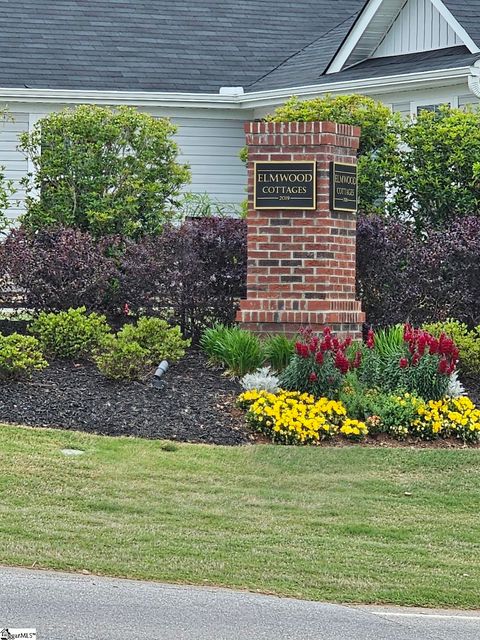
[420, 278]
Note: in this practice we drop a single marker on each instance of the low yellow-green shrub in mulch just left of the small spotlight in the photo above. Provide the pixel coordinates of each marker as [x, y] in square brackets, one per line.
[123, 360]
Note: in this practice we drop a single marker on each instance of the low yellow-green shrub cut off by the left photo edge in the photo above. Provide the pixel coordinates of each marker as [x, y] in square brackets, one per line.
[20, 356]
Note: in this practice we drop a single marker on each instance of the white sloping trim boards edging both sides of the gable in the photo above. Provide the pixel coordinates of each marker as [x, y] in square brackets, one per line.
[373, 24]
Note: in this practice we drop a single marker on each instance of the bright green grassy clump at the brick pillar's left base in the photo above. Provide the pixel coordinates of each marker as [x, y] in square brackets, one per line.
[238, 350]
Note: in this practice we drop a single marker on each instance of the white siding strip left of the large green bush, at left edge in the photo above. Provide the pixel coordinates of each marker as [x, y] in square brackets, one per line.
[14, 162]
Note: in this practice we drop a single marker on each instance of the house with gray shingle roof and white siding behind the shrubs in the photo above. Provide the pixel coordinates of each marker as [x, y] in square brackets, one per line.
[212, 64]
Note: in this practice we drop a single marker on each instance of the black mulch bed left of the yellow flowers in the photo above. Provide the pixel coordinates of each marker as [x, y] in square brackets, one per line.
[196, 404]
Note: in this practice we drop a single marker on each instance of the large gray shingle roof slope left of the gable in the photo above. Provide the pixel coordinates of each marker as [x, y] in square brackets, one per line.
[157, 45]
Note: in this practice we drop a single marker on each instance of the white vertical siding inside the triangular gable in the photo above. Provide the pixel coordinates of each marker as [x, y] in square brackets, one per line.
[418, 27]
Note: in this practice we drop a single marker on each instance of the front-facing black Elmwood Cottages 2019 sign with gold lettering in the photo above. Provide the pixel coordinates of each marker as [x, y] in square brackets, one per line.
[285, 185]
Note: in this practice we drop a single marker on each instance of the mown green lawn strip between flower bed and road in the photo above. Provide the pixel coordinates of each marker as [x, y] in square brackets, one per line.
[340, 524]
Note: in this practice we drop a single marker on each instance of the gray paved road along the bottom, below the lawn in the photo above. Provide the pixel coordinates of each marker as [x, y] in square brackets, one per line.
[76, 607]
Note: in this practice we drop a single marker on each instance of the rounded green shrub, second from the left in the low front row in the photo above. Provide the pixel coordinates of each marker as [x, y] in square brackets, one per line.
[70, 334]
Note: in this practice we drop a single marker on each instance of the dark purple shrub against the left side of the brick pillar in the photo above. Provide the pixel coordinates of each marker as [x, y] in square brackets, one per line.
[197, 271]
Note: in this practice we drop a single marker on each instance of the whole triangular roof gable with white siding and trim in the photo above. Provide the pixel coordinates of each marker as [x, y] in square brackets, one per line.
[397, 27]
